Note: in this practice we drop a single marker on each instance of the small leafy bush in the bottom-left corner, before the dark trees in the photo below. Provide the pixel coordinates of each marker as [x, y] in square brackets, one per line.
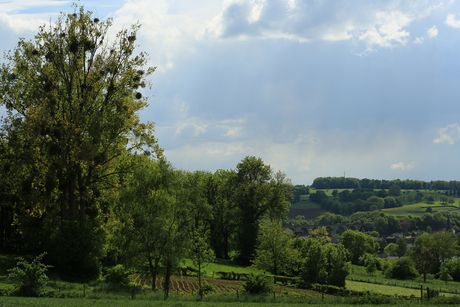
[31, 277]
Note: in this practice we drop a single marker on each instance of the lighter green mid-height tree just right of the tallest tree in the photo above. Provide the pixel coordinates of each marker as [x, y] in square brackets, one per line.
[153, 221]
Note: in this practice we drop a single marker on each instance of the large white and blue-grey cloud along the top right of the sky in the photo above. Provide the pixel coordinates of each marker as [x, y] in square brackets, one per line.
[383, 24]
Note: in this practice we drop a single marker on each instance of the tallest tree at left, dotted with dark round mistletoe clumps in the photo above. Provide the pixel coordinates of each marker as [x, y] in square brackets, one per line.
[72, 101]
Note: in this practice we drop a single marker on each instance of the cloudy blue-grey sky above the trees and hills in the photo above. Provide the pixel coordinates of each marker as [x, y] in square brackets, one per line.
[365, 89]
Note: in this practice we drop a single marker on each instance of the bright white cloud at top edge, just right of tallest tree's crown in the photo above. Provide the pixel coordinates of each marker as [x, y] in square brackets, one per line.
[167, 30]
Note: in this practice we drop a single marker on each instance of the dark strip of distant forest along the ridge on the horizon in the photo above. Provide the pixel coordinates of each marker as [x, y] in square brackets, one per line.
[355, 183]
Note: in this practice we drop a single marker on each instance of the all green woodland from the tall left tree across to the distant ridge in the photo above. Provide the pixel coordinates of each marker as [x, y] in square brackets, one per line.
[85, 181]
